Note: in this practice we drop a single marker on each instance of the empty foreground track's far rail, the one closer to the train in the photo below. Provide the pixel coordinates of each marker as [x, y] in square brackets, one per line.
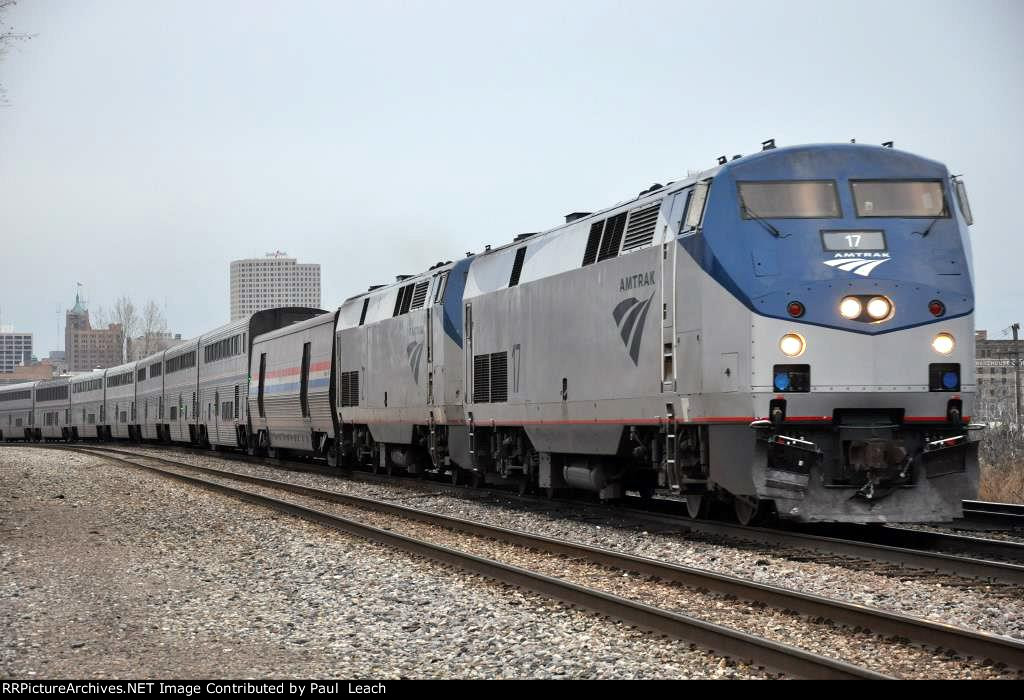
[966, 642]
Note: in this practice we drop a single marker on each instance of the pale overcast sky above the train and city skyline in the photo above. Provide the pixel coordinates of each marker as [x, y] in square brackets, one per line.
[147, 145]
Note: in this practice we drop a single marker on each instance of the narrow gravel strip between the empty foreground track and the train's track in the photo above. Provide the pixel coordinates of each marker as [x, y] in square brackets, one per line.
[974, 605]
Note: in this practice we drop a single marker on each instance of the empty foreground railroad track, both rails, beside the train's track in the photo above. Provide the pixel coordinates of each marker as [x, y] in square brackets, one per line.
[774, 655]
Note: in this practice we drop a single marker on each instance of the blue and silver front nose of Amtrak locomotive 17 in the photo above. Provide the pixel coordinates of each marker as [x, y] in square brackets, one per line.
[851, 268]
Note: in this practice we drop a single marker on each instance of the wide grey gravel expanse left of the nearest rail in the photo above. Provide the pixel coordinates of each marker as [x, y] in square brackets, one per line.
[110, 573]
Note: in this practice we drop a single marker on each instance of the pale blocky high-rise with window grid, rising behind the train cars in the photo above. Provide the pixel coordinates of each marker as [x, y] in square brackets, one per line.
[273, 282]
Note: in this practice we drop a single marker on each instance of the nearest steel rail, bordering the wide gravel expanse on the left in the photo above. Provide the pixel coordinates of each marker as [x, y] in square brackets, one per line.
[724, 641]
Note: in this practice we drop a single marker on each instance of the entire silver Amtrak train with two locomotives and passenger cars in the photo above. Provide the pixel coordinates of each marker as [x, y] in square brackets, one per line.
[788, 335]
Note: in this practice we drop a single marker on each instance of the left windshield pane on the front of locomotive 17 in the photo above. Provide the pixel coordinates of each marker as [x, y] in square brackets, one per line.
[793, 200]
